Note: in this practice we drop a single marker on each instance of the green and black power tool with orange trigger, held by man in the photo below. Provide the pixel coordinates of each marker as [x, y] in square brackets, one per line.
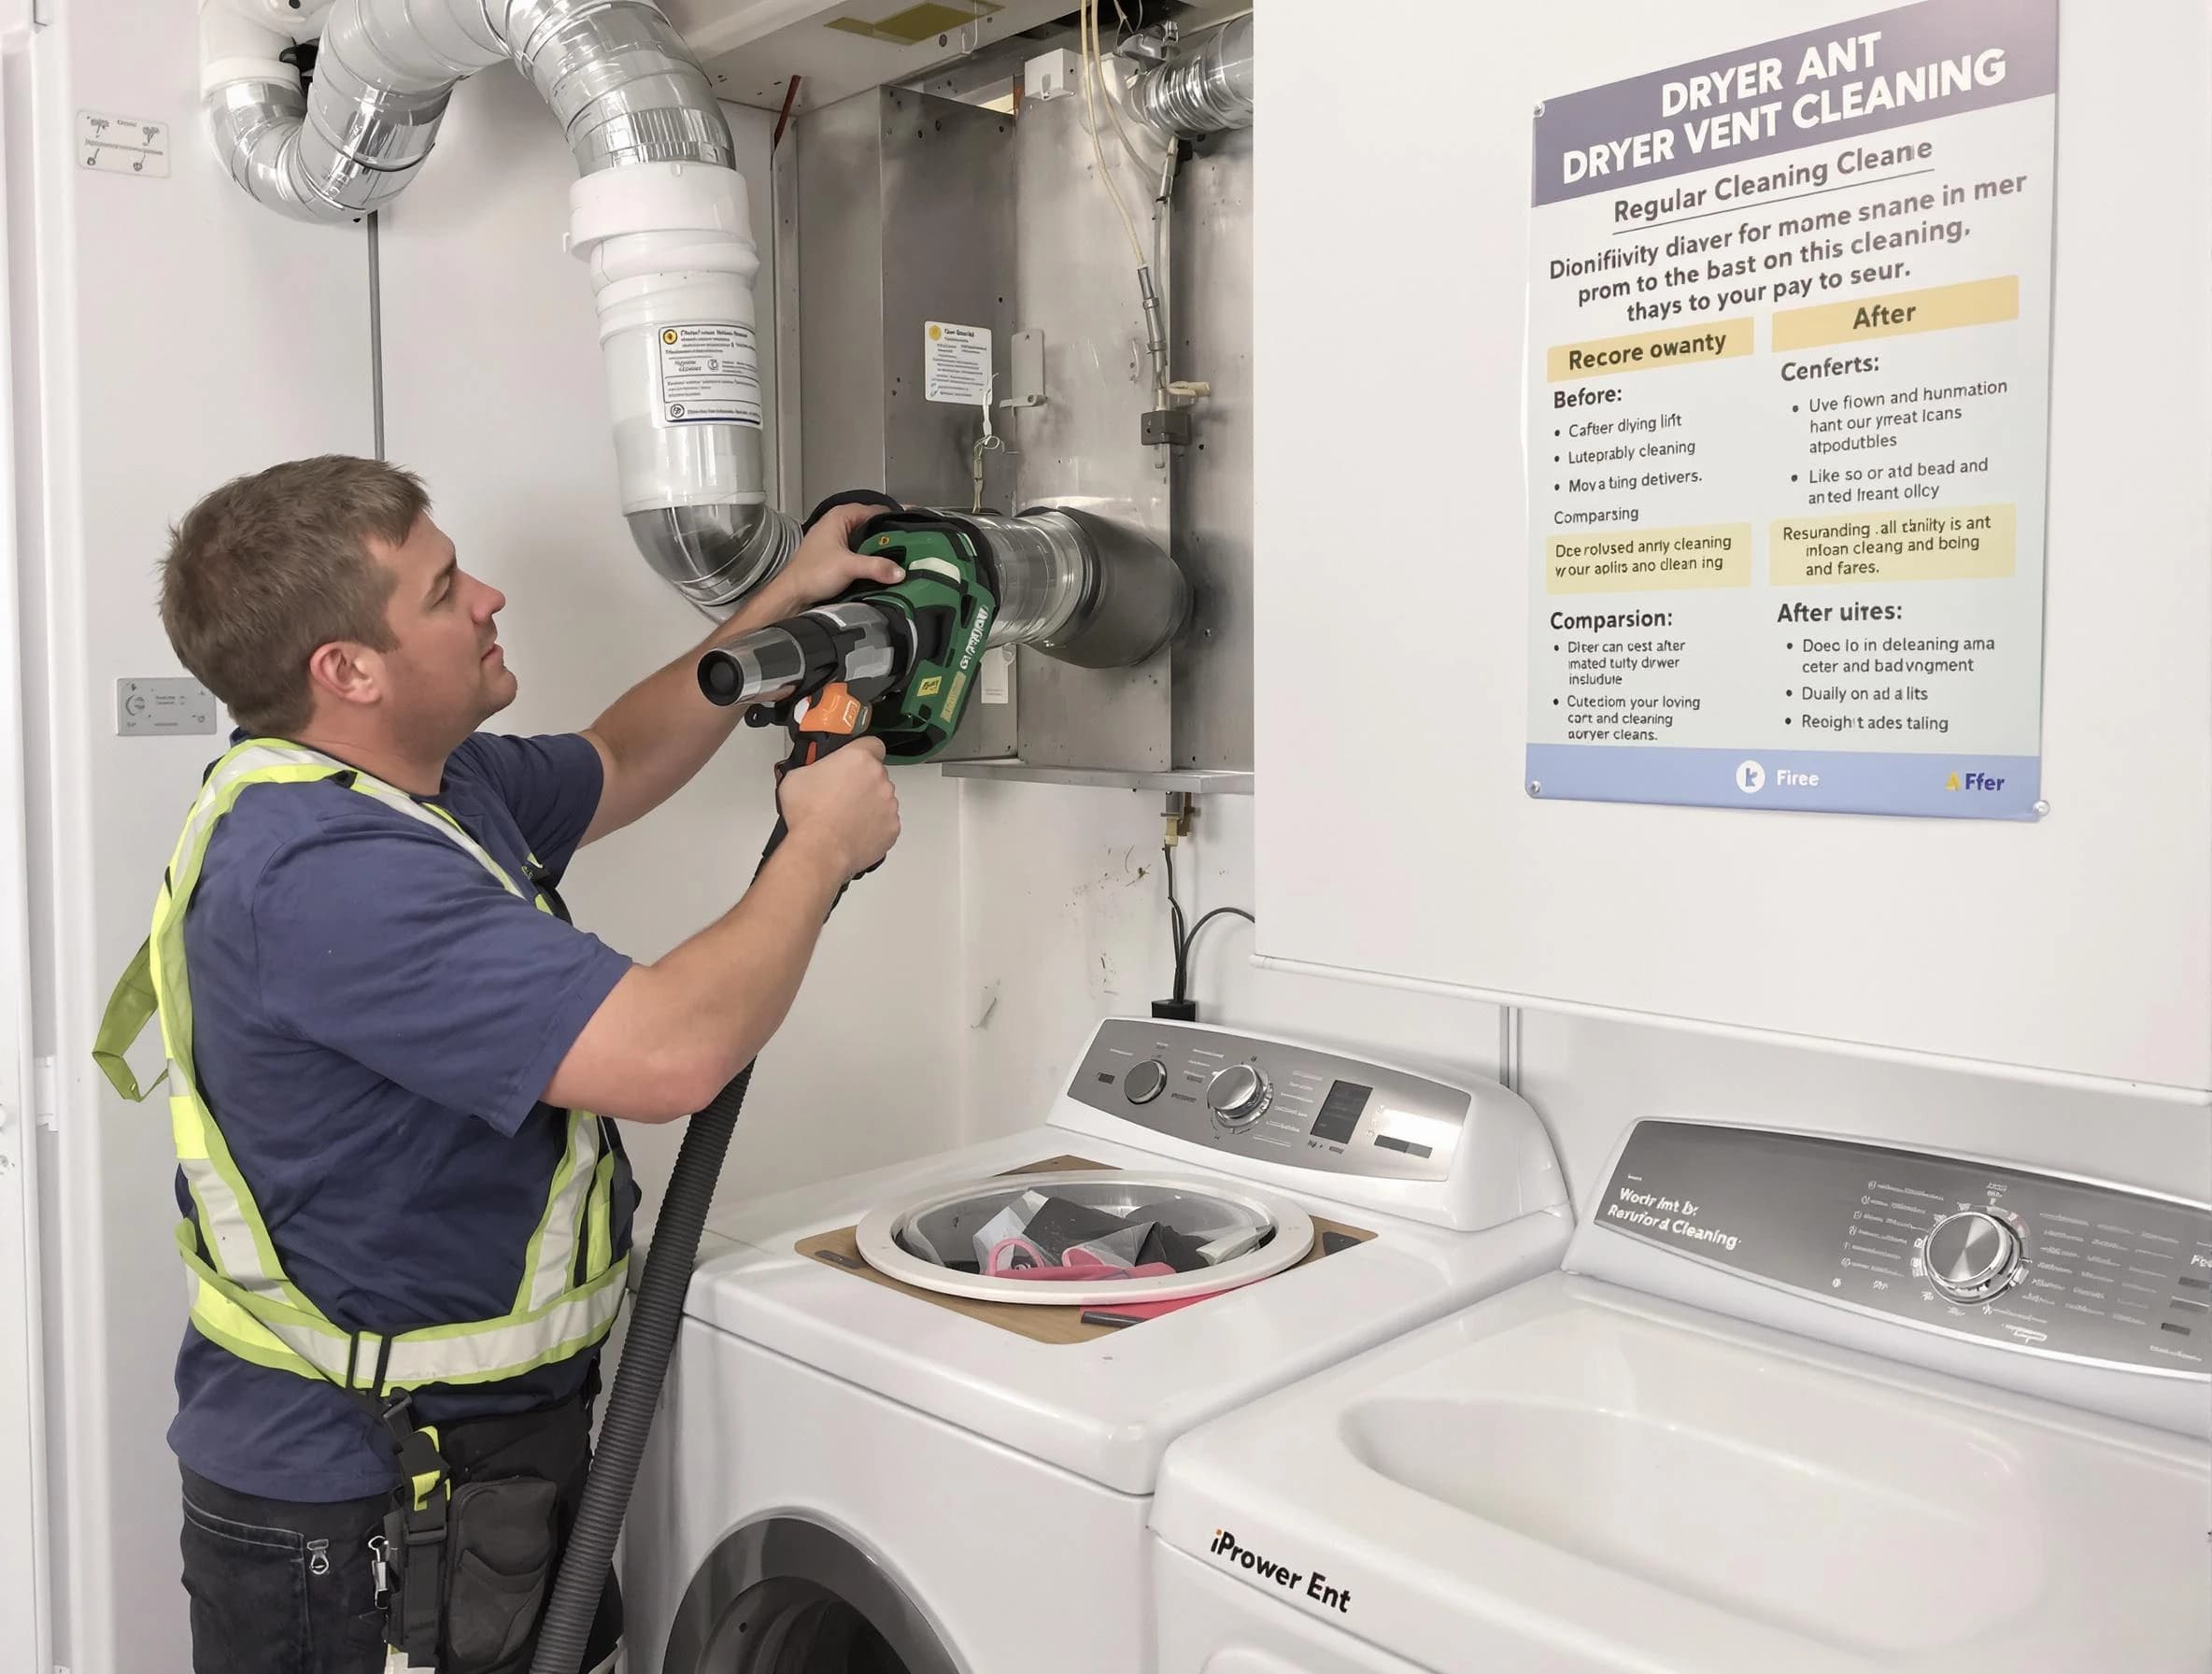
[879, 662]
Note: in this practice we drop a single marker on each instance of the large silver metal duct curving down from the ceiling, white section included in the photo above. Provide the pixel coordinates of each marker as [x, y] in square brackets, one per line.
[658, 213]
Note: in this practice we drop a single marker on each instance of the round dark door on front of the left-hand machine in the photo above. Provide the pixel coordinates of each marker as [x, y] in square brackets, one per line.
[795, 1598]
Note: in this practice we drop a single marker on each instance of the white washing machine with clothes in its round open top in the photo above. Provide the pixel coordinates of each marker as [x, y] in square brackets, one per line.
[893, 1469]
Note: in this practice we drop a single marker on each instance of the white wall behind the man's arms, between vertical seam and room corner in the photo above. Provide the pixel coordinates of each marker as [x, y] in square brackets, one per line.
[494, 395]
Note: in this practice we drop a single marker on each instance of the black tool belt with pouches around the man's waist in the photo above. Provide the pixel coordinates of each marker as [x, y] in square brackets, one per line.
[474, 1536]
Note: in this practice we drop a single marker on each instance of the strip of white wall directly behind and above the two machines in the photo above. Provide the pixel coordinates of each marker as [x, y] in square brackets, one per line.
[1063, 932]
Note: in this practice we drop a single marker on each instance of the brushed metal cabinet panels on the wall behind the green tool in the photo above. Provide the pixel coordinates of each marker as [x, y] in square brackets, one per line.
[917, 209]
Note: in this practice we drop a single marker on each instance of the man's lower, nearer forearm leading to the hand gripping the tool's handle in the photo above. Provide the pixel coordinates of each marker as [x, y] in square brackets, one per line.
[676, 1032]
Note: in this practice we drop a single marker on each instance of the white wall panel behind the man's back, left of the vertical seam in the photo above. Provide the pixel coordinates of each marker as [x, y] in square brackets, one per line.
[167, 335]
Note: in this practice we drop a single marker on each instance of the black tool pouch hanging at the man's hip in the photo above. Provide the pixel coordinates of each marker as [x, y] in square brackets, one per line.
[499, 1562]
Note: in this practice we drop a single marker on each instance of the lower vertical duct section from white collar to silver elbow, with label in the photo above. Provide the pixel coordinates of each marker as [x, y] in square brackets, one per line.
[674, 260]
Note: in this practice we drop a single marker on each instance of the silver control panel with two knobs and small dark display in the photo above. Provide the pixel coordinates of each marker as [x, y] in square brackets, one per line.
[1286, 1105]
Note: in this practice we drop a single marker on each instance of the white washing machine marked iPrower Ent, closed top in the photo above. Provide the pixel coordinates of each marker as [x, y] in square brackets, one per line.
[1797, 1405]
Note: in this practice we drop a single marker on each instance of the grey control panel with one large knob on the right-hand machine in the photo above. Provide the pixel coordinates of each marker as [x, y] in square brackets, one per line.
[2030, 1262]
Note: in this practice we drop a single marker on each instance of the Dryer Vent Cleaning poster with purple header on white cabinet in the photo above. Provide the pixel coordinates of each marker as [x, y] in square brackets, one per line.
[1788, 366]
